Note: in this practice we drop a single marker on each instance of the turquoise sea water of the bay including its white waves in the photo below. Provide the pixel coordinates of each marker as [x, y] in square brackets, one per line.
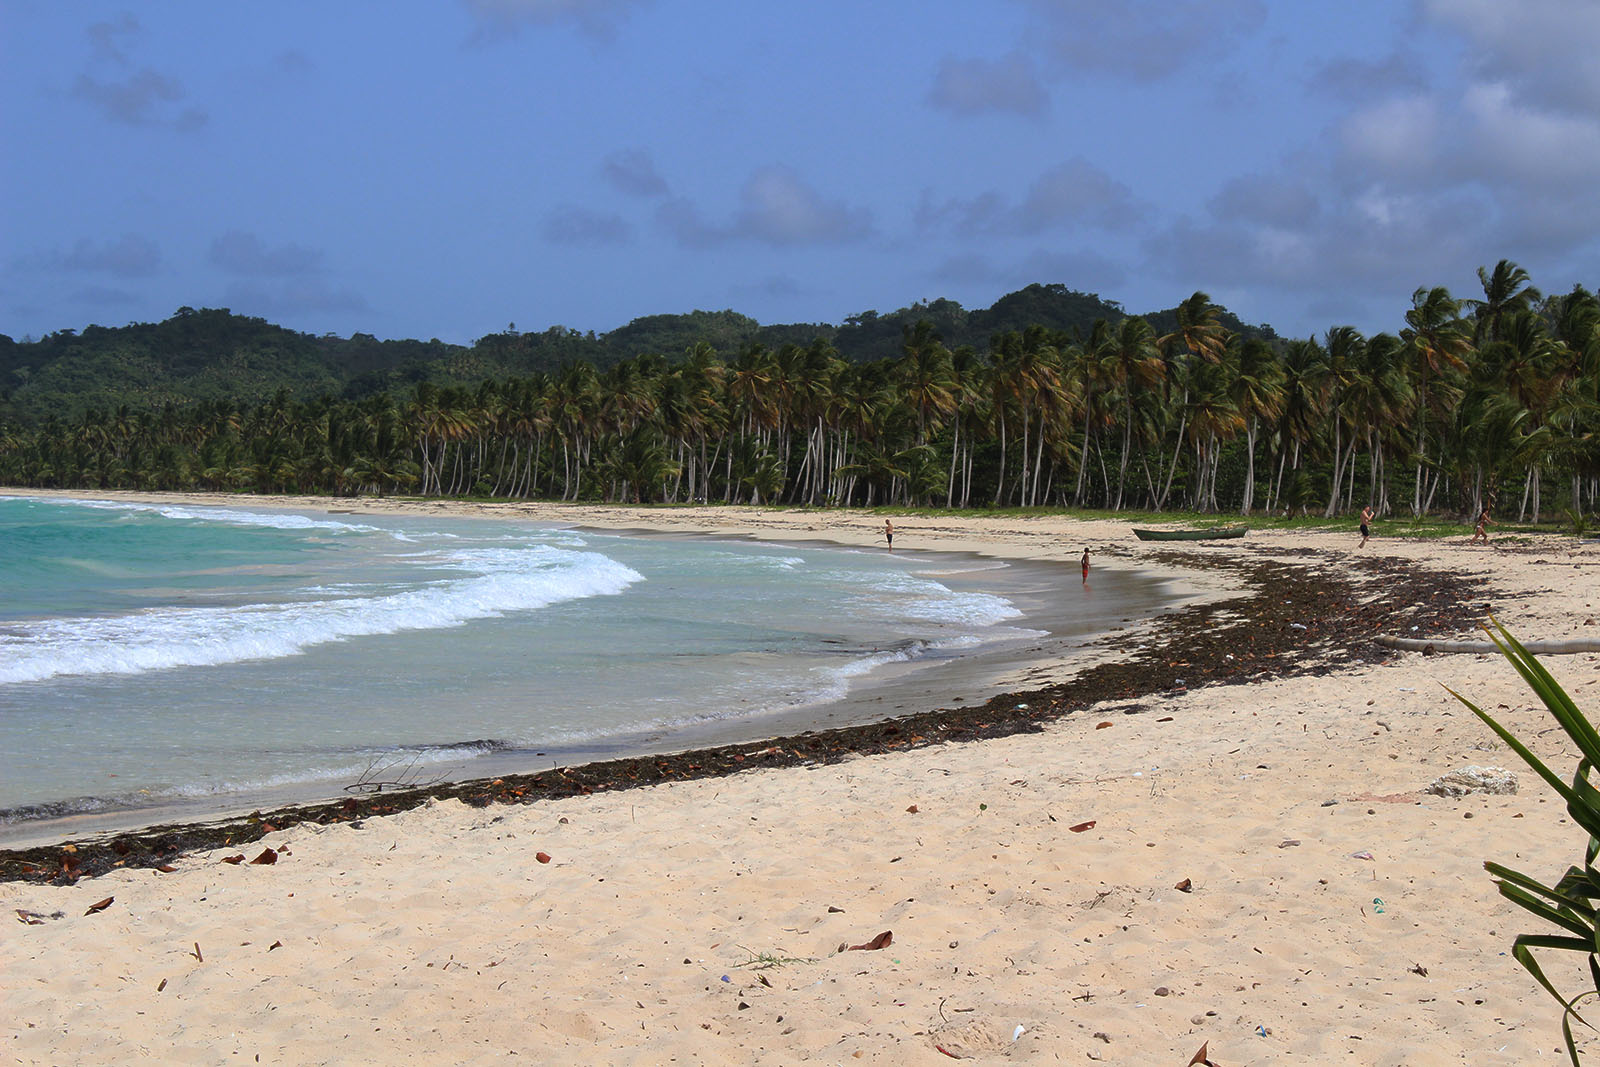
[154, 653]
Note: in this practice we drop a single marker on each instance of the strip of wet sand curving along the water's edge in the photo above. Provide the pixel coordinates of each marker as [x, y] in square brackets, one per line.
[1004, 666]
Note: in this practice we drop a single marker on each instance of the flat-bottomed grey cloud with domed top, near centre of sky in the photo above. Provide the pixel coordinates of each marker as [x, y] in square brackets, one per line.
[775, 209]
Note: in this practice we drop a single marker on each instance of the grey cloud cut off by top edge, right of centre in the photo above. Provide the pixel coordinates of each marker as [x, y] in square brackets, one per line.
[1142, 41]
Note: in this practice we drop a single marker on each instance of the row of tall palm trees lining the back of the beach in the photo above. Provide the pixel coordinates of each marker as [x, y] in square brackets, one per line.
[1470, 399]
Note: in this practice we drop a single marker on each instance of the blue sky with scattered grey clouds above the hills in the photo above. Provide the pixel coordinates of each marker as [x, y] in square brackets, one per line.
[441, 170]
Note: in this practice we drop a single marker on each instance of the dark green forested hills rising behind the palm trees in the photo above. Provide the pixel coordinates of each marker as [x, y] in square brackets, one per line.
[214, 354]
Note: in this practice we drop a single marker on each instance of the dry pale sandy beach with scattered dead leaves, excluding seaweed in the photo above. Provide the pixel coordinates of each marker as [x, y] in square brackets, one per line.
[1249, 868]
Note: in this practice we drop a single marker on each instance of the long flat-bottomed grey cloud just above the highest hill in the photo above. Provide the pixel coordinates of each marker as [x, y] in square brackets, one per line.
[1076, 193]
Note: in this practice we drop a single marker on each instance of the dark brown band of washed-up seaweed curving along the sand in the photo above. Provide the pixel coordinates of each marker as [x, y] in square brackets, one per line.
[1292, 620]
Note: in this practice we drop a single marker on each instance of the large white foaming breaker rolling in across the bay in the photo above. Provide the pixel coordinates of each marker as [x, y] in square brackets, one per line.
[497, 583]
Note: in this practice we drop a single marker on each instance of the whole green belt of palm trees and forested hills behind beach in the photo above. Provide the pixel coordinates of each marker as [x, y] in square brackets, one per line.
[1049, 399]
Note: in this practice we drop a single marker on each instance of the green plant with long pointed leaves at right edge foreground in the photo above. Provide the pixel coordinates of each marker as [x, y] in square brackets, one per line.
[1570, 905]
